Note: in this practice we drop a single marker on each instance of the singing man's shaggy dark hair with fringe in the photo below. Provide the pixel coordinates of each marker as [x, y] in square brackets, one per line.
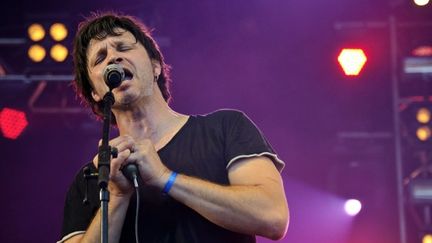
[99, 26]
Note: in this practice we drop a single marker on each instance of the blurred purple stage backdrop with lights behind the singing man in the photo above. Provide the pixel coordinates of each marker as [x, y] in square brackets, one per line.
[341, 89]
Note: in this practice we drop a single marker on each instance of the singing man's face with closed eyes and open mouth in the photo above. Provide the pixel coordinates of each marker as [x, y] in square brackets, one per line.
[125, 50]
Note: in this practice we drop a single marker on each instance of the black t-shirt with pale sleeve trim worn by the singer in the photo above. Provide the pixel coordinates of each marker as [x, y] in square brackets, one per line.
[204, 148]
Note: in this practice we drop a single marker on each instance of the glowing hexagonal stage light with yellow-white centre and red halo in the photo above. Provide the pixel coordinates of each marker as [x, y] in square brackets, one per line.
[352, 61]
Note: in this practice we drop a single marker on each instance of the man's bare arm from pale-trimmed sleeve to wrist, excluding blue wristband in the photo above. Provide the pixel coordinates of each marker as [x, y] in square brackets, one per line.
[253, 204]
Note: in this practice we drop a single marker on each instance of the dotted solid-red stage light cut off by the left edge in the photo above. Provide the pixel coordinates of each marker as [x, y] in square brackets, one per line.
[12, 122]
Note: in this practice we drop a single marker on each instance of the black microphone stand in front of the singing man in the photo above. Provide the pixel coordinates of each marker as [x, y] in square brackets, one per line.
[104, 157]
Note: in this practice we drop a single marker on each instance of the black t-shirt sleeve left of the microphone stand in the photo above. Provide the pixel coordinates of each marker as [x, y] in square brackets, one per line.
[77, 215]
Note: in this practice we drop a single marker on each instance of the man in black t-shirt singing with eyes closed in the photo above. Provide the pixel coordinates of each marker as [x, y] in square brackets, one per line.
[206, 178]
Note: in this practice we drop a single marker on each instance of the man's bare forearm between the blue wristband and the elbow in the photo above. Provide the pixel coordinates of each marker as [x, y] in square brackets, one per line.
[248, 209]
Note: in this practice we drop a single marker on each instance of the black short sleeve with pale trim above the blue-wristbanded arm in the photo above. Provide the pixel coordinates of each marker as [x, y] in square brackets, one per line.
[243, 139]
